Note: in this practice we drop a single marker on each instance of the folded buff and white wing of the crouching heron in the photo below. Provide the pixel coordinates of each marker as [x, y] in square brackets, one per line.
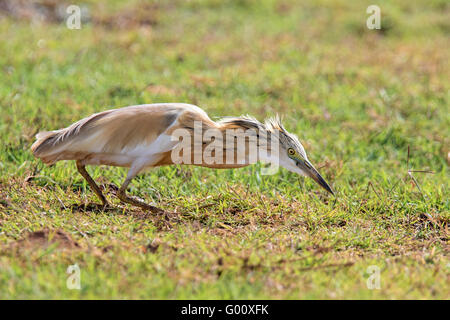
[120, 131]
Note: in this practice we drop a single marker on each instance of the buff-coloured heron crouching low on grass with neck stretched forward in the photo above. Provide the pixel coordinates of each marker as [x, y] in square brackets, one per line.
[142, 136]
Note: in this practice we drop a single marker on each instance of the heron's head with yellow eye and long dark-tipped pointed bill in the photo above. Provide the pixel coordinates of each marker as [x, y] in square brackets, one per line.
[292, 155]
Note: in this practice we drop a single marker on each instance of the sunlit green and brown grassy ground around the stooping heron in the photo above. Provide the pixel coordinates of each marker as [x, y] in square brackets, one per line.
[357, 98]
